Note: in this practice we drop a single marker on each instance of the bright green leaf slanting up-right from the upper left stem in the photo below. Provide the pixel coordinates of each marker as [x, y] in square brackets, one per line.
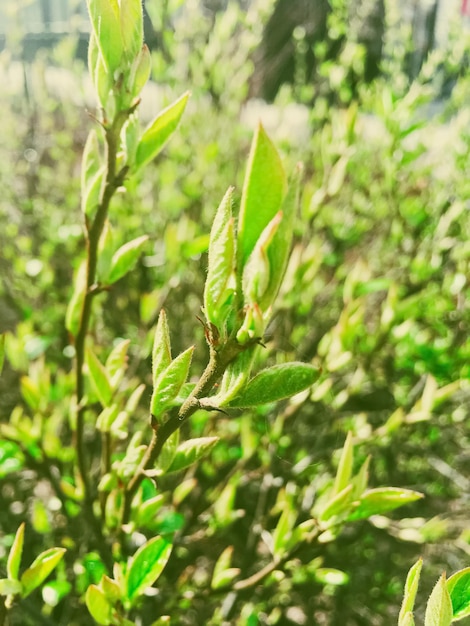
[160, 130]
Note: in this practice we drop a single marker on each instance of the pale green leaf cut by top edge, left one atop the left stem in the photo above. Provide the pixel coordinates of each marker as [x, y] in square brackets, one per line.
[105, 21]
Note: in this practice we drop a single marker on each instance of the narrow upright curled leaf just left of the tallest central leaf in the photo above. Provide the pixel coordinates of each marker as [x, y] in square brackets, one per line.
[218, 289]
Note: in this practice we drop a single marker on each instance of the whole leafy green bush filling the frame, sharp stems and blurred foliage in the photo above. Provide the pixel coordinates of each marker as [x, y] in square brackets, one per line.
[215, 400]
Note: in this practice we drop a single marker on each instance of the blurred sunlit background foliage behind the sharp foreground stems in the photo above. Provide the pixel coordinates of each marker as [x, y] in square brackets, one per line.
[376, 294]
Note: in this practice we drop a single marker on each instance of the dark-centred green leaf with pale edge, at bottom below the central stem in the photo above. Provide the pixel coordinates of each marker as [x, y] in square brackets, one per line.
[146, 566]
